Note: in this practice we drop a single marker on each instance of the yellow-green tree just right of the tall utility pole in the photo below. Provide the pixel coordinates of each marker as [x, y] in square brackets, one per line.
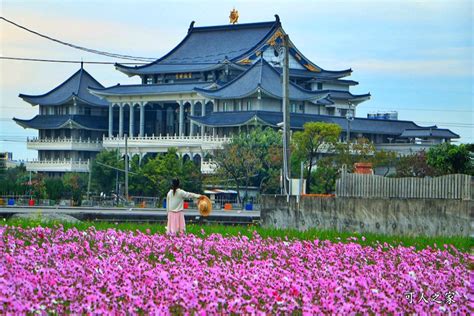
[309, 142]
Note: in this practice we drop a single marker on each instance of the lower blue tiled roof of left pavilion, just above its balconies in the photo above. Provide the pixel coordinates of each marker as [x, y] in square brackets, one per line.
[65, 121]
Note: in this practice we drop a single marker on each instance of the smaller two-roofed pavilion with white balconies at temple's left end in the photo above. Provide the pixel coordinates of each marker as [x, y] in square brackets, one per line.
[71, 125]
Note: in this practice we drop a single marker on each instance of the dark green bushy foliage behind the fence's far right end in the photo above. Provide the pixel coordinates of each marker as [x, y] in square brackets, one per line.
[448, 158]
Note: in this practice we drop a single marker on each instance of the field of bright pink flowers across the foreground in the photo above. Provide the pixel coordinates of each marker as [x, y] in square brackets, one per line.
[46, 270]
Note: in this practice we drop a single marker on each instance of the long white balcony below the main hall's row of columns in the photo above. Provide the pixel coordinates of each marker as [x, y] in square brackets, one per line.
[159, 144]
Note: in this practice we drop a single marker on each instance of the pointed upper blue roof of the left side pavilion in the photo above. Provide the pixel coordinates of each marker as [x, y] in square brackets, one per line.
[74, 87]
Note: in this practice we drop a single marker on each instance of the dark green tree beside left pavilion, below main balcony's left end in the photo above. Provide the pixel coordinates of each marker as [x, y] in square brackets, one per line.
[103, 179]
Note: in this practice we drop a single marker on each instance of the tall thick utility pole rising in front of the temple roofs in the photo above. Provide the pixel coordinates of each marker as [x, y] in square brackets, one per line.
[286, 118]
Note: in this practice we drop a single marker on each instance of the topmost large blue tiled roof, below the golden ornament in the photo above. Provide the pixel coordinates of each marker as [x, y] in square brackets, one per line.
[207, 48]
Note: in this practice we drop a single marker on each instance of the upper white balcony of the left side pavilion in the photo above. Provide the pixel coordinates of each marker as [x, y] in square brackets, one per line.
[65, 144]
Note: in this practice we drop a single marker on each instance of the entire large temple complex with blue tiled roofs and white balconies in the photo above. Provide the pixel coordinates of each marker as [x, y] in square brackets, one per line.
[219, 80]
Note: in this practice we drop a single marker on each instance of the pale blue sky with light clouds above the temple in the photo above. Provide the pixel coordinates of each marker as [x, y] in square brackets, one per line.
[415, 57]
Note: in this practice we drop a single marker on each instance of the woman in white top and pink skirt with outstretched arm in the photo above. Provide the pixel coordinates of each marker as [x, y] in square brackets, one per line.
[175, 206]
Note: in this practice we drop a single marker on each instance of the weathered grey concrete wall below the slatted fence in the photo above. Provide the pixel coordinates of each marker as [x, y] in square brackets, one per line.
[430, 217]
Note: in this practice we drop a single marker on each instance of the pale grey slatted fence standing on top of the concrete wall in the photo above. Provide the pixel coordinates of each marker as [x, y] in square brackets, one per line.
[455, 186]
